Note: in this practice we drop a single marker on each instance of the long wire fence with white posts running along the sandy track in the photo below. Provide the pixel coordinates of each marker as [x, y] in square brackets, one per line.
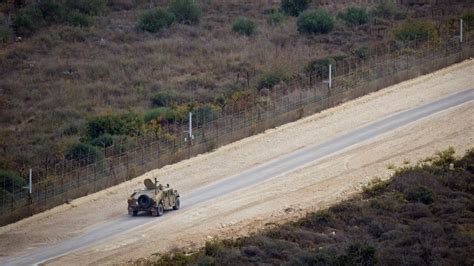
[351, 79]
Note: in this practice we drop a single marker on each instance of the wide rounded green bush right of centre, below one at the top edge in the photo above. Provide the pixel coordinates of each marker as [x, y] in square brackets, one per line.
[319, 21]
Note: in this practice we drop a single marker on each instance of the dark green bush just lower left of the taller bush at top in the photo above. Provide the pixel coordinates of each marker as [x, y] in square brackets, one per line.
[155, 20]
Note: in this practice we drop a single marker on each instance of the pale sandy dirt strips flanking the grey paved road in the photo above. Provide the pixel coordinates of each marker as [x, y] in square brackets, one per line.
[313, 187]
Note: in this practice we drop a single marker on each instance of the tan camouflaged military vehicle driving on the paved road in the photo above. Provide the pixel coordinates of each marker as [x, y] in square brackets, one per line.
[154, 199]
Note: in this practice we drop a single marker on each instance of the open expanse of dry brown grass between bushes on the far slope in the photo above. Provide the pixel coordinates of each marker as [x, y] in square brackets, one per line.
[62, 75]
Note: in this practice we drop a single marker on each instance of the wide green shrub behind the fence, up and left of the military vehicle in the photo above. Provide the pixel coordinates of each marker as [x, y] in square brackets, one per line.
[129, 124]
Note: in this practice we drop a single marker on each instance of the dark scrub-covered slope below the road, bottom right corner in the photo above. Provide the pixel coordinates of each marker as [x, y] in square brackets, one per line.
[422, 216]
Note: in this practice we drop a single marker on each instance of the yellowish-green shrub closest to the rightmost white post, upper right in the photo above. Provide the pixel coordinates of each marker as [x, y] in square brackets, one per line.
[409, 31]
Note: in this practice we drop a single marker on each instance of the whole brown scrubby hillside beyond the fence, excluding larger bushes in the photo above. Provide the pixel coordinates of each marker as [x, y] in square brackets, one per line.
[55, 80]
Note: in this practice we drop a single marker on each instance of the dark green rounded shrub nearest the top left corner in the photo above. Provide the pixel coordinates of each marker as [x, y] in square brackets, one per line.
[28, 20]
